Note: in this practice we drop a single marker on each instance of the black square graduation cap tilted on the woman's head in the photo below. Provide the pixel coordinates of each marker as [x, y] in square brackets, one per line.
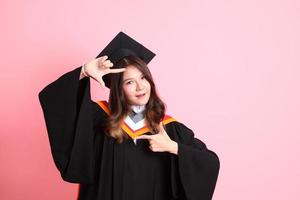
[121, 46]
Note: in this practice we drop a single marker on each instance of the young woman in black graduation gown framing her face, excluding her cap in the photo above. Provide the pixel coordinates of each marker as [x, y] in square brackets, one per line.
[127, 148]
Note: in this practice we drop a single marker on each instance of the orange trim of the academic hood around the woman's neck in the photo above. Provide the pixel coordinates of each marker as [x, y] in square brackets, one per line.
[104, 105]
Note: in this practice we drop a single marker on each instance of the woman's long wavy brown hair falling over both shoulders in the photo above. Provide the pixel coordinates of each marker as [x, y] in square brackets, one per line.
[119, 107]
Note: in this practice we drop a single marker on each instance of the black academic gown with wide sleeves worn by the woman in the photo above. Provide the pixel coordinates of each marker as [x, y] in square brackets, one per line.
[107, 170]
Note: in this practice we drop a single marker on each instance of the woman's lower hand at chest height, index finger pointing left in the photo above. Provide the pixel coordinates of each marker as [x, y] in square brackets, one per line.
[161, 141]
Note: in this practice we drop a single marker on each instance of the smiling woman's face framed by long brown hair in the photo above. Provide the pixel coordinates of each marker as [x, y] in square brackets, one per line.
[136, 88]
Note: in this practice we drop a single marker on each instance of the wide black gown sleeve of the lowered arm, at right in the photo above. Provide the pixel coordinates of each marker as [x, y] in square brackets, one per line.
[195, 168]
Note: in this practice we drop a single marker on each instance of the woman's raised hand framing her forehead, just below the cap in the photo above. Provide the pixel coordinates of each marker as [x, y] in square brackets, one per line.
[99, 67]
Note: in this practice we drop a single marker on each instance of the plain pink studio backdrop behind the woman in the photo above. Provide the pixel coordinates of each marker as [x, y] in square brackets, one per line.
[227, 69]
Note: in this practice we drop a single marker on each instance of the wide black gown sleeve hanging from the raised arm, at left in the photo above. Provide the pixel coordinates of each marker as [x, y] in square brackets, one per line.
[72, 121]
